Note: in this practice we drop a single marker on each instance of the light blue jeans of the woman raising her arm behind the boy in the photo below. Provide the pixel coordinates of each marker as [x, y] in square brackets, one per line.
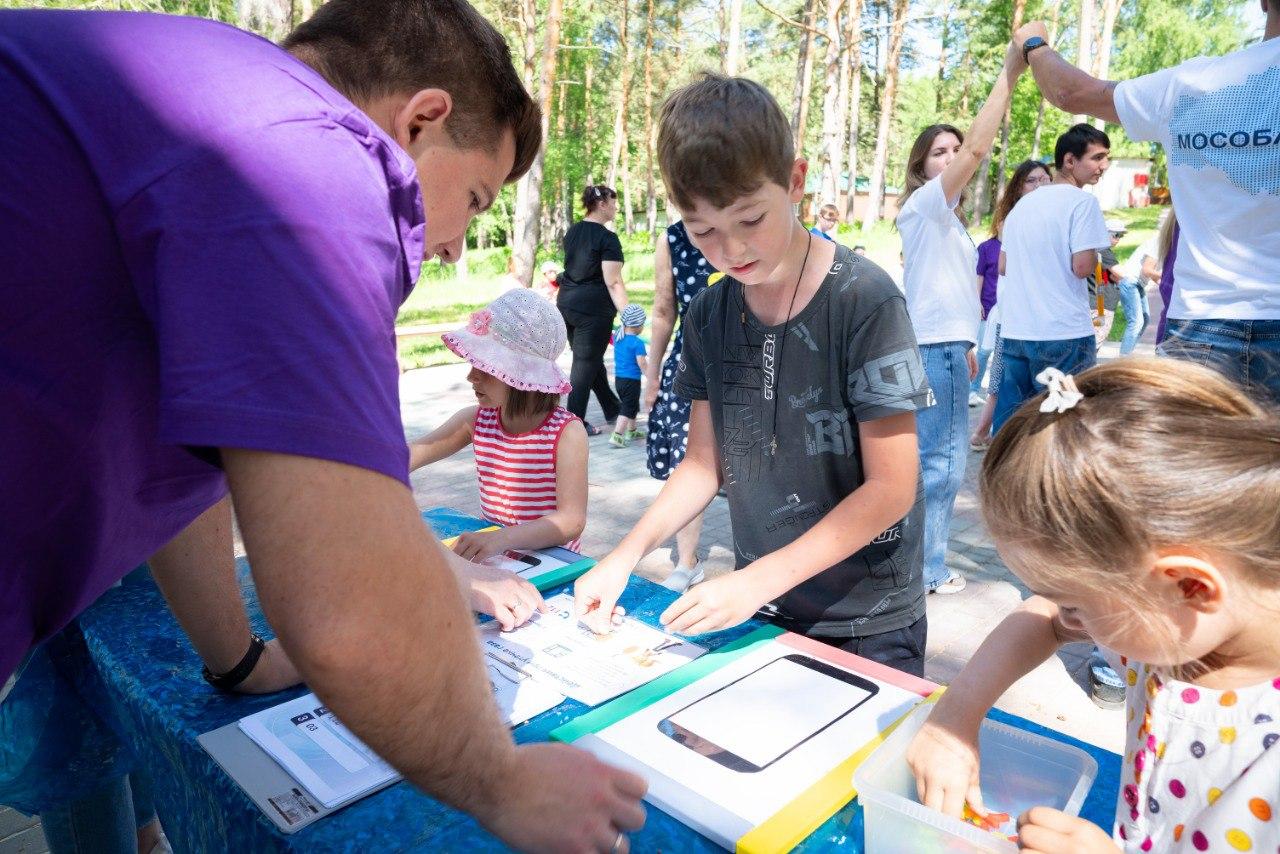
[944, 436]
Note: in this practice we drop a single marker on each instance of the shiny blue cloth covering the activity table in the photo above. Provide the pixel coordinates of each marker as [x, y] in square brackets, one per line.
[153, 675]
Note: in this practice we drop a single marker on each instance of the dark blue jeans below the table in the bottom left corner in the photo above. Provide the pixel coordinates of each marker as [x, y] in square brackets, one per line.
[103, 823]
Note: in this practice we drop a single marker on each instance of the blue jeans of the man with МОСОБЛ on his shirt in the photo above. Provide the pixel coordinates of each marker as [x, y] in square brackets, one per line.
[1247, 351]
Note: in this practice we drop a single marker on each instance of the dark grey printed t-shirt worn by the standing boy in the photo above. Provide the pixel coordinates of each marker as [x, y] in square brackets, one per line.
[851, 357]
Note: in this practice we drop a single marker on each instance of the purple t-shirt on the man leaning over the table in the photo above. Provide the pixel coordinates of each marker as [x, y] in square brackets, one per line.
[204, 246]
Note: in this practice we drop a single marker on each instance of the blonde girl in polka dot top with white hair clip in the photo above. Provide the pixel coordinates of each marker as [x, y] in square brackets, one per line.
[1141, 504]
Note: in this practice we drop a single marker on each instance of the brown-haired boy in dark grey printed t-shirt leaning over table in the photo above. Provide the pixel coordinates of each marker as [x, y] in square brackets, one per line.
[806, 378]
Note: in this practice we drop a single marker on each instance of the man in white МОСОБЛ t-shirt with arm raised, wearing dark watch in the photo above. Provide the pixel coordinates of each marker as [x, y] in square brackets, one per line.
[1219, 121]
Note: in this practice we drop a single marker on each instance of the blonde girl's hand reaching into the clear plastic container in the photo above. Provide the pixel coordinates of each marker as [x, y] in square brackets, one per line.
[944, 757]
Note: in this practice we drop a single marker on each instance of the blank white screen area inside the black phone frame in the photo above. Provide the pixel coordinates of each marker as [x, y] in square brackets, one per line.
[789, 704]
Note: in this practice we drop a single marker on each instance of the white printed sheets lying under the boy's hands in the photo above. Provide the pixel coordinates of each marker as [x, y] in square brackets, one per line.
[560, 652]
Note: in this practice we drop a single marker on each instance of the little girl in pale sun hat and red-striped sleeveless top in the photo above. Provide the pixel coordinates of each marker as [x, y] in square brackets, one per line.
[531, 451]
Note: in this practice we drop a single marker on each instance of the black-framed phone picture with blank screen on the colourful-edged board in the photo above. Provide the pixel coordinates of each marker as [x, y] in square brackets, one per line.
[753, 723]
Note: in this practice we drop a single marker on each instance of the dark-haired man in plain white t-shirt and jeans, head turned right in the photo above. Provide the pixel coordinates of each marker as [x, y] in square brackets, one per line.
[1049, 249]
